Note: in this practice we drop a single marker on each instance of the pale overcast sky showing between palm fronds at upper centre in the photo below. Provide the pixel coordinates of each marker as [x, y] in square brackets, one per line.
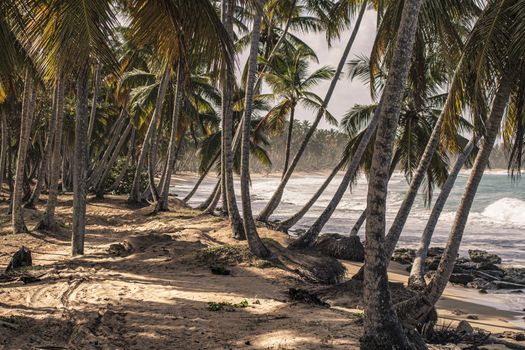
[347, 93]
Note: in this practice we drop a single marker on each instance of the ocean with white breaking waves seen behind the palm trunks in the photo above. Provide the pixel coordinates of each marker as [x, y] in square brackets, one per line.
[496, 221]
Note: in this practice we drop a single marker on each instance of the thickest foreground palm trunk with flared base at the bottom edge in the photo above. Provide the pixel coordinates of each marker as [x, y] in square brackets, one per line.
[382, 329]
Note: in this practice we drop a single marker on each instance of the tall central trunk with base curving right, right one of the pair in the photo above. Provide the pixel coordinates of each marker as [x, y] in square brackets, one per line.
[254, 241]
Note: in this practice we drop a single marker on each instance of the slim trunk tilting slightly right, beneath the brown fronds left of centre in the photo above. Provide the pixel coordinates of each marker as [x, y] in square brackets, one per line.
[162, 204]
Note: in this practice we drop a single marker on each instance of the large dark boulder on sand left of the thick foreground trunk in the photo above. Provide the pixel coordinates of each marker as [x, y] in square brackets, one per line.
[341, 247]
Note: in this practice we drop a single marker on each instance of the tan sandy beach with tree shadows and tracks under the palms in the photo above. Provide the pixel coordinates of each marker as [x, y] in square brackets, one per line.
[162, 295]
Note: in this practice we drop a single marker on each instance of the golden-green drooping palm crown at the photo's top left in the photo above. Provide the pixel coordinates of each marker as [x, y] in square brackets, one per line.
[65, 34]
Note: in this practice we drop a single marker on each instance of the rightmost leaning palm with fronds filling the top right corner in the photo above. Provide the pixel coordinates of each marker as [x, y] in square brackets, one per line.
[501, 61]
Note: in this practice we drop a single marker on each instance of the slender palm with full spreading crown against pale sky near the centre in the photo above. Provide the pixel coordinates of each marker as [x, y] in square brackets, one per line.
[287, 75]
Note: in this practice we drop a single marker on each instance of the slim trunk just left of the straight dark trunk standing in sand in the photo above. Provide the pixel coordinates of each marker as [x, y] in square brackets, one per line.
[47, 222]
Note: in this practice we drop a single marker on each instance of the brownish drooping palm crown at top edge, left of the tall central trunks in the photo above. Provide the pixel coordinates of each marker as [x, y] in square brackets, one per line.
[181, 30]
